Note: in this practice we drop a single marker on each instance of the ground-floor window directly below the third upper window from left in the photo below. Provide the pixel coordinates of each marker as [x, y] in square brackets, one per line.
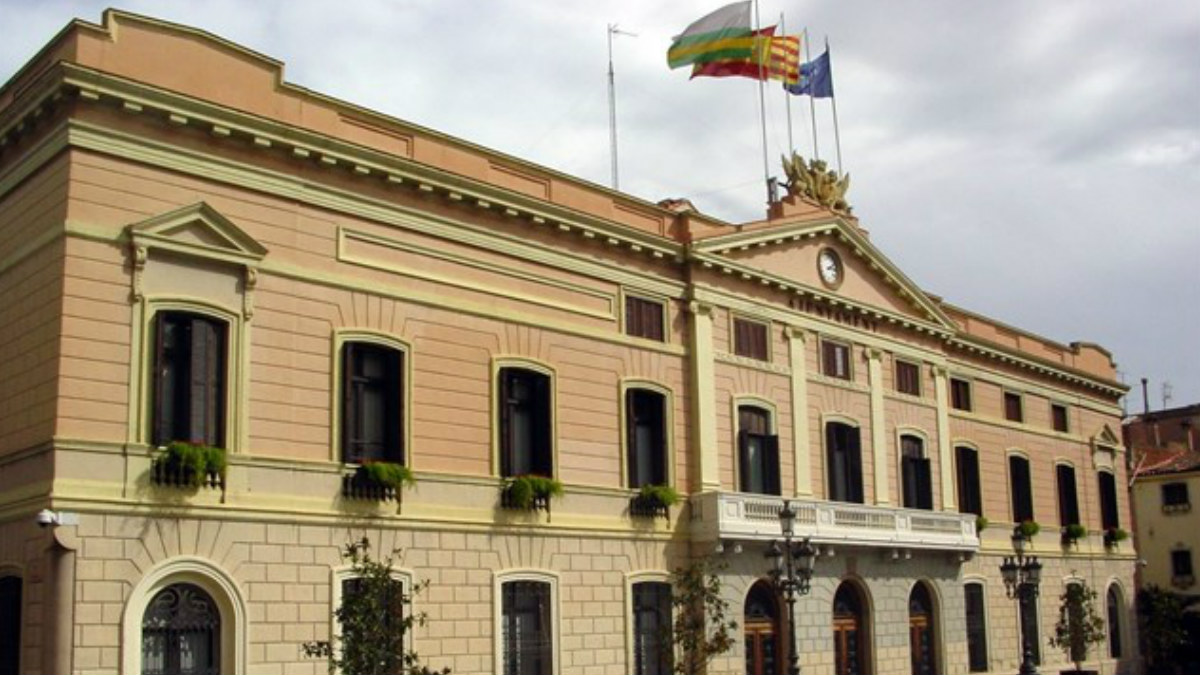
[527, 638]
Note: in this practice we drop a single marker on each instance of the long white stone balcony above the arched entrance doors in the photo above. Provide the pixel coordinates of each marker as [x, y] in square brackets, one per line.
[735, 516]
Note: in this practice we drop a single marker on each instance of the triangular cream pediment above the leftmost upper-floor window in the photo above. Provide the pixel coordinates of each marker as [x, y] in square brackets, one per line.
[199, 231]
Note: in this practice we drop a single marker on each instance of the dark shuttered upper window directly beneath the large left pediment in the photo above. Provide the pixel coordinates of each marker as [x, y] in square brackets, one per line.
[189, 379]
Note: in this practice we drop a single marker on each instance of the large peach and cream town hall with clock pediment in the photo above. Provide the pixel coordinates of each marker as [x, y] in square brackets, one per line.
[194, 249]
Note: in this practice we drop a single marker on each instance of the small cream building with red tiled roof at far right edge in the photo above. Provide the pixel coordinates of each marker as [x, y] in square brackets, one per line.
[1167, 481]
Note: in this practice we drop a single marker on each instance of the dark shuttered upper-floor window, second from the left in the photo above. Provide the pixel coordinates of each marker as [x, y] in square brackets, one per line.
[373, 409]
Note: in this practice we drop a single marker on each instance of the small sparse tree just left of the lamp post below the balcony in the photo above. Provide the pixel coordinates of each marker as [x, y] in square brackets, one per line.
[701, 629]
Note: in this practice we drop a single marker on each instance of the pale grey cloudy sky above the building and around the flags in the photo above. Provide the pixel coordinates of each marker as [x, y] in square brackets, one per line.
[1037, 163]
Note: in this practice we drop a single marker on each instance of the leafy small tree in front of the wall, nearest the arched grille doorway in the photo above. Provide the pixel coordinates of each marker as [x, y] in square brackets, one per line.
[373, 620]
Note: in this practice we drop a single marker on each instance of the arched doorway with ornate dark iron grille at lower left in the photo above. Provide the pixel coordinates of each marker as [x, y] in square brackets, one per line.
[182, 634]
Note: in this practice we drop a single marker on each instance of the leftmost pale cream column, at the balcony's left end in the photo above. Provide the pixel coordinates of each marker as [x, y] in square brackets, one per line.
[704, 396]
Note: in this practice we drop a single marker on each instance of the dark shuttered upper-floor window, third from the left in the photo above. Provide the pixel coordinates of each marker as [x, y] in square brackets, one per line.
[526, 423]
